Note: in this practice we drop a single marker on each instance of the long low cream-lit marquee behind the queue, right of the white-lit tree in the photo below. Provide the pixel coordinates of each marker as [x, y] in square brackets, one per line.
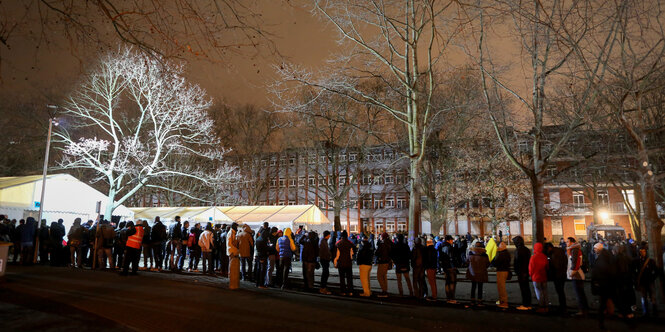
[281, 216]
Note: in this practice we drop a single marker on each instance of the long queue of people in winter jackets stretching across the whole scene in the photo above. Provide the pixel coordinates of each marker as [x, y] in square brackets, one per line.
[618, 268]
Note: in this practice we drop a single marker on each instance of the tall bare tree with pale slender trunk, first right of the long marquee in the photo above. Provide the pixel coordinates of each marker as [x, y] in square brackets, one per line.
[400, 44]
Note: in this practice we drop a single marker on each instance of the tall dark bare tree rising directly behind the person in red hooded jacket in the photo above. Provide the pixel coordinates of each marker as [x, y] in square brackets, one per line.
[564, 43]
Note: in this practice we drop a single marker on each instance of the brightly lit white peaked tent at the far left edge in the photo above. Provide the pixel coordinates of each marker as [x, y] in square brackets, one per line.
[66, 197]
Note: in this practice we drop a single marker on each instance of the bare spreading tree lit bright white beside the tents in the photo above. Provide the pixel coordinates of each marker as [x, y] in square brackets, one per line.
[129, 116]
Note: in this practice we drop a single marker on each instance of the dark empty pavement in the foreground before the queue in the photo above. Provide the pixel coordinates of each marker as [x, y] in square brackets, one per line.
[42, 298]
